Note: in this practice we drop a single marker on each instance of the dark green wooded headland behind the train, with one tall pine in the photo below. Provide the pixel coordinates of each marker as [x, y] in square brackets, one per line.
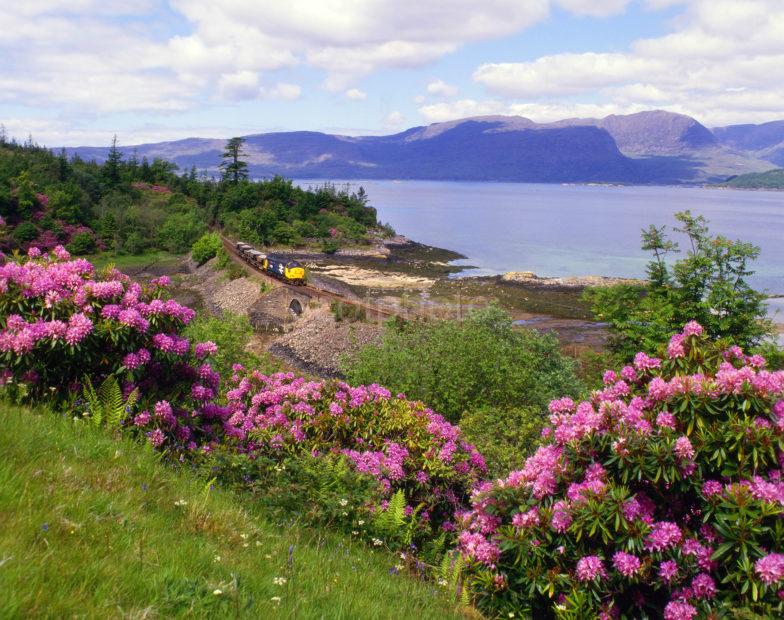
[129, 205]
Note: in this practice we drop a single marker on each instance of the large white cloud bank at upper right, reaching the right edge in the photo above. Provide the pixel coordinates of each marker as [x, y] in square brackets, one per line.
[722, 63]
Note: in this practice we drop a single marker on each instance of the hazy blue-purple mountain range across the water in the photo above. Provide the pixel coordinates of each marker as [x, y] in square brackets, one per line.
[655, 147]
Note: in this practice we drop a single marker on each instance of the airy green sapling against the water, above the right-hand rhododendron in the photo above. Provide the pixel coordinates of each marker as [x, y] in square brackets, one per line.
[708, 285]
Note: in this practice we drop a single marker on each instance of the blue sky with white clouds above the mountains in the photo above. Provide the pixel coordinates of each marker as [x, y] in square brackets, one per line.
[76, 72]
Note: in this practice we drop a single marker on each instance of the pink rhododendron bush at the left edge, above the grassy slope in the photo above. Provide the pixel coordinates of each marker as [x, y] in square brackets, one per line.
[62, 322]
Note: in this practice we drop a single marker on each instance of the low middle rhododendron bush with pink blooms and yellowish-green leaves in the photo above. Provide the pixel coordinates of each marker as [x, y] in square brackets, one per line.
[400, 443]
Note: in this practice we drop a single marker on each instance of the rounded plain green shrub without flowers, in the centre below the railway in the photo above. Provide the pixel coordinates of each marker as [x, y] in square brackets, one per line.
[456, 367]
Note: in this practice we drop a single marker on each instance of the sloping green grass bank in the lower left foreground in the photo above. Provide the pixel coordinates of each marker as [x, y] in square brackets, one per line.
[97, 527]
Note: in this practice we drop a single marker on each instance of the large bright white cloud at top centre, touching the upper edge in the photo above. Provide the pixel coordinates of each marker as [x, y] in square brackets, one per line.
[348, 38]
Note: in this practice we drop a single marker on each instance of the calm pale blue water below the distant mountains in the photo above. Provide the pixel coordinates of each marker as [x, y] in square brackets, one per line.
[556, 230]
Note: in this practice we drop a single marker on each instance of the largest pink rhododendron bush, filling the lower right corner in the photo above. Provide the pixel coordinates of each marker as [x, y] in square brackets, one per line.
[661, 495]
